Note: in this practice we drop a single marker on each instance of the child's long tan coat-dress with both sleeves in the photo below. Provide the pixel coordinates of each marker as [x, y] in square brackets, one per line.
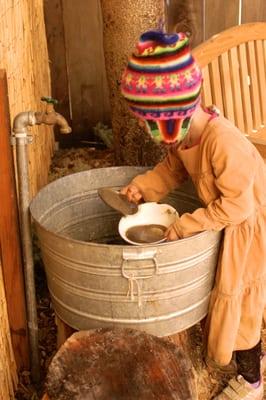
[230, 177]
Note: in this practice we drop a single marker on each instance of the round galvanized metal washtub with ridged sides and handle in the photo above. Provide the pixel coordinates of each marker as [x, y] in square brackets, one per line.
[95, 282]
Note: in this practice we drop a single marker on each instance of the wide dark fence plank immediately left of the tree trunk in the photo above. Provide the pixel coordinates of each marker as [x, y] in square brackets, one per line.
[85, 63]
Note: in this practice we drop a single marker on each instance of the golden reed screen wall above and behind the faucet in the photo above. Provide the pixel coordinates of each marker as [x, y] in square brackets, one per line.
[23, 54]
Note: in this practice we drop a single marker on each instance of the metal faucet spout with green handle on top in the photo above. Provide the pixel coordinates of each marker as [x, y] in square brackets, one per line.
[51, 117]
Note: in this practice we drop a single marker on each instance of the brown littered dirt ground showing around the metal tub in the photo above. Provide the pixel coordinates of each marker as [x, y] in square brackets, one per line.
[73, 160]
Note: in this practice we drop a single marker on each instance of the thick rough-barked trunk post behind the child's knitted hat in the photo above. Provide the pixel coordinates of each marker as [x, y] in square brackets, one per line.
[123, 22]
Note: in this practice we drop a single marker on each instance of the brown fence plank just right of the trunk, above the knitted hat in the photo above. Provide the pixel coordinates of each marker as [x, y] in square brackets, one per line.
[186, 16]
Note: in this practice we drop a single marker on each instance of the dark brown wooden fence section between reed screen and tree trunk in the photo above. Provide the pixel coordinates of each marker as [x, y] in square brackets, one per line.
[75, 42]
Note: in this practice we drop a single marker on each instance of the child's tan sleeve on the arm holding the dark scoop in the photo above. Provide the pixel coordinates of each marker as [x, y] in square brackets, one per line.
[164, 177]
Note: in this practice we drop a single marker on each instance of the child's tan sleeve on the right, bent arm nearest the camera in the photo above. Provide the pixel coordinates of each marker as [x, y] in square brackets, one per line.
[234, 165]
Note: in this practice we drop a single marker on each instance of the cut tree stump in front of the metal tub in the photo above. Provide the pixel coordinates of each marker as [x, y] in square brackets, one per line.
[119, 364]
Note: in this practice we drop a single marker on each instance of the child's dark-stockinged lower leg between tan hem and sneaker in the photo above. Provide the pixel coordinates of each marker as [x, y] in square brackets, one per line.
[248, 363]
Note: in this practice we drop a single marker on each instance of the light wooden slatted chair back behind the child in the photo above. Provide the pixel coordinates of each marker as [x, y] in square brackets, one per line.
[234, 71]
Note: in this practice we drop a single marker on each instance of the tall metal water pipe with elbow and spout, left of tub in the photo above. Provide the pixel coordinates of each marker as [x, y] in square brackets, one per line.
[21, 138]
